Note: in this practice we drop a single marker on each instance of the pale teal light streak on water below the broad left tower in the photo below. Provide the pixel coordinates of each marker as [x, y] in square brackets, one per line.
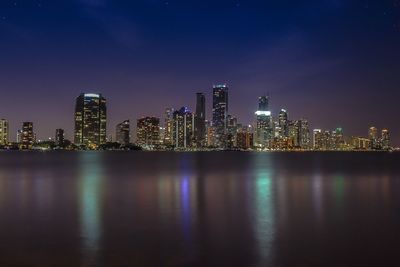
[90, 189]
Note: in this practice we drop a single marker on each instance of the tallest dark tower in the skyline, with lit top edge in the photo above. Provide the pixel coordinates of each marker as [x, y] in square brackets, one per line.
[220, 113]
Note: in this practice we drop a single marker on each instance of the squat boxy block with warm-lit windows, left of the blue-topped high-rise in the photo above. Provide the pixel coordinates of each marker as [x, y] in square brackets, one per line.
[148, 131]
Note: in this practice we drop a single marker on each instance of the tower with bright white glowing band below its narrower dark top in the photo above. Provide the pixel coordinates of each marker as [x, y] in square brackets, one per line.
[264, 132]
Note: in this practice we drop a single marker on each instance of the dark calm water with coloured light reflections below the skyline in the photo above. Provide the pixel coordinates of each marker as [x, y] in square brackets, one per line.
[199, 209]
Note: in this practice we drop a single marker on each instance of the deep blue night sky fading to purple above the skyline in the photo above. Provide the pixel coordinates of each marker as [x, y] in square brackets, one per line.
[335, 62]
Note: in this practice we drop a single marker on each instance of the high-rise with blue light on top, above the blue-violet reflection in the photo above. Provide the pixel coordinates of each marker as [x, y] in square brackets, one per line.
[183, 128]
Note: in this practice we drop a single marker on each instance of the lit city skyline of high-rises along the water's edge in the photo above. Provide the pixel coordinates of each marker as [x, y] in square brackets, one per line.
[185, 129]
